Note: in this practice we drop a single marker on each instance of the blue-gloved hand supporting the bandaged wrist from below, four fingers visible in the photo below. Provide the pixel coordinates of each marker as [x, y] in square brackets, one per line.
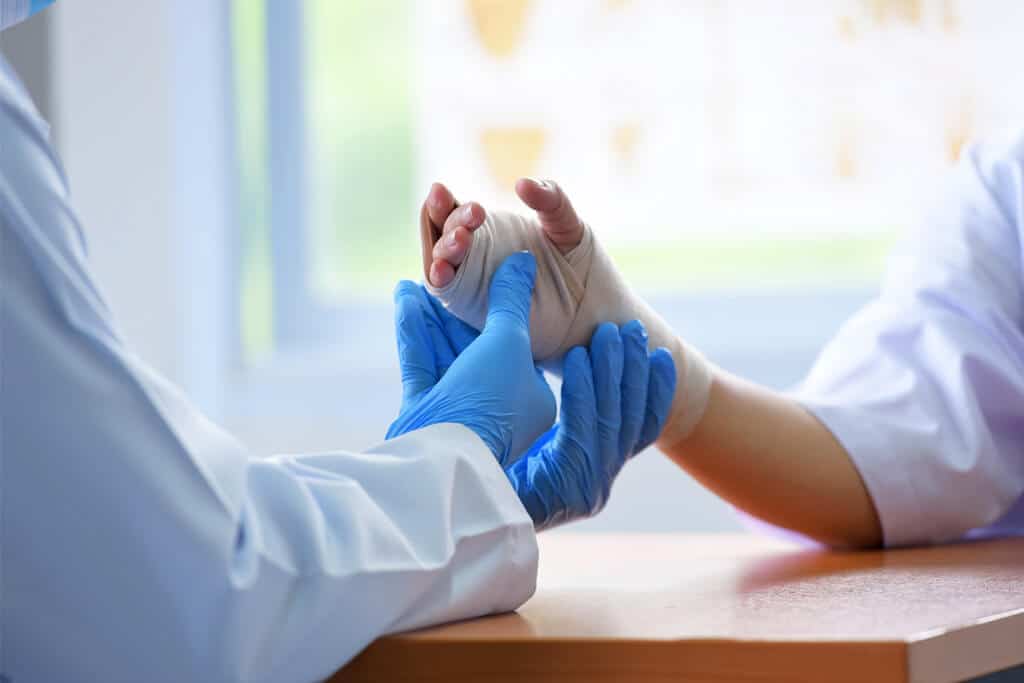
[615, 402]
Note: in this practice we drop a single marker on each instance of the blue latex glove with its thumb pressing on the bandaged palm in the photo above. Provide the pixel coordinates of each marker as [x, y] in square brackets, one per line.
[492, 387]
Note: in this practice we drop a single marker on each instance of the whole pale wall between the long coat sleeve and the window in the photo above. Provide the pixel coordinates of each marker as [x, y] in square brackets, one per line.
[140, 87]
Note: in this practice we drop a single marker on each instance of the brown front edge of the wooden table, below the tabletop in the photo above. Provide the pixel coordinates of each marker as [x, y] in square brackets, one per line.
[605, 661]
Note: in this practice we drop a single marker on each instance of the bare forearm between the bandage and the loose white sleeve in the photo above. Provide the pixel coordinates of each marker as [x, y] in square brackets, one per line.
[771, 458]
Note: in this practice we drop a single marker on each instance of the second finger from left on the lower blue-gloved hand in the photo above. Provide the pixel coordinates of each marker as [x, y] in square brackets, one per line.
[607, 361]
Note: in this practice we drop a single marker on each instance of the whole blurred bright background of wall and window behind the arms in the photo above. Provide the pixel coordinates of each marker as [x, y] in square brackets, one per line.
[249, 175]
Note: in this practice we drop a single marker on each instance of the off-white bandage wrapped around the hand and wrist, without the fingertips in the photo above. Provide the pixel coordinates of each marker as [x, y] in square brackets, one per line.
[575, 293]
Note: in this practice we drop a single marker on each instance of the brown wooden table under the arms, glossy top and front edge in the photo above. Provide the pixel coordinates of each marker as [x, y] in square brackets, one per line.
[685, 608]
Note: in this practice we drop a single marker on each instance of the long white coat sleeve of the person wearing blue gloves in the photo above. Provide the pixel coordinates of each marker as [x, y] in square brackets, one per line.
[140, 542]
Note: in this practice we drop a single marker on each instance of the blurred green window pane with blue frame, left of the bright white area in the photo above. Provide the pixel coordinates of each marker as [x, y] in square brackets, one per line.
[326, 124]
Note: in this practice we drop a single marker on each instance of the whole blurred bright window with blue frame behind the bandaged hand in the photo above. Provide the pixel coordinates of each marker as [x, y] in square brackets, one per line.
[748, 163]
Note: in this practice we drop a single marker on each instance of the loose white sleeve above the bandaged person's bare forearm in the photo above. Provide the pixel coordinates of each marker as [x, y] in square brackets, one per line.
[925, 387]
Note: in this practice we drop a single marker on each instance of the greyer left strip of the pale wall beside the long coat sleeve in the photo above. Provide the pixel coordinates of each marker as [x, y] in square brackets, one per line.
[112, 73]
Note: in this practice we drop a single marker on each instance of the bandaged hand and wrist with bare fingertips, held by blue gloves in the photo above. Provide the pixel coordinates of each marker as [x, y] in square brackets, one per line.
[578, 285]
